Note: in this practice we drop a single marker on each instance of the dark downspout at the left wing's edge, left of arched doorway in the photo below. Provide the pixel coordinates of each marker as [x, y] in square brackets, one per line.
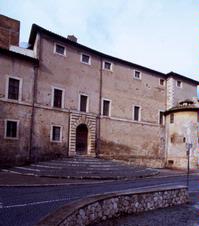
[34, 92]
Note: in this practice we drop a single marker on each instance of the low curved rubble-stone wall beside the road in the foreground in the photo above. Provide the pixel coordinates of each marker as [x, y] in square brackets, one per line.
[102, 207]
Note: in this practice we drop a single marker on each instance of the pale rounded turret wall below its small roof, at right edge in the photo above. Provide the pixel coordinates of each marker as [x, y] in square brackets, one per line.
[185, 126]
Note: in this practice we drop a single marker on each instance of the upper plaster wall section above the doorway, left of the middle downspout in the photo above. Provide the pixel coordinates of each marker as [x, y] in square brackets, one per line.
[62, 73]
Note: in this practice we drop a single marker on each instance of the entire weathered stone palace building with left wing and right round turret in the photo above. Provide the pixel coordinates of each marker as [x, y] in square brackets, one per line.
[60, 98]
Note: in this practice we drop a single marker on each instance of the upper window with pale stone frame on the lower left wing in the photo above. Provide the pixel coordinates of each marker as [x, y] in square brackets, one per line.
[14, 88]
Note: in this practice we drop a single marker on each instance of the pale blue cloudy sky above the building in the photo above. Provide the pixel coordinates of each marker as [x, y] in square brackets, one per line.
[160, 34]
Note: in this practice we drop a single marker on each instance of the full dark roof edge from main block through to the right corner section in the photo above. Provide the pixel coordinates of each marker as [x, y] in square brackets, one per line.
[37, 29]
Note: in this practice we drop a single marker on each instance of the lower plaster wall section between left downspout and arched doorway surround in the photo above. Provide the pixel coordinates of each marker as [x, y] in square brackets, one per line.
[43, 148]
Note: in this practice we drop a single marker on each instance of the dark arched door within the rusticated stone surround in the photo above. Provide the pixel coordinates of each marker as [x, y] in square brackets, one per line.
[81, 139]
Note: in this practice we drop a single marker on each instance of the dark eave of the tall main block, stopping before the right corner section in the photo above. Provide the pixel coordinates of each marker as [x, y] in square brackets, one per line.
[37, 29]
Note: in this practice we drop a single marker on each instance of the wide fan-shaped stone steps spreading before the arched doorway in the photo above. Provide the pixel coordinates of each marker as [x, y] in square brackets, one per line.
[82, 167]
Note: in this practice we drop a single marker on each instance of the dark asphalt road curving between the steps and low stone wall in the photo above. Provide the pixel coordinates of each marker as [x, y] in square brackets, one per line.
[25, 206]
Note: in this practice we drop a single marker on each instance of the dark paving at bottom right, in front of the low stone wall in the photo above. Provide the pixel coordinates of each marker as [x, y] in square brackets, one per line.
[185, 215]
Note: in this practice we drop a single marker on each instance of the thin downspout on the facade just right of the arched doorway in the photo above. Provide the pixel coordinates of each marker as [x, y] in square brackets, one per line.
[99, 114]
